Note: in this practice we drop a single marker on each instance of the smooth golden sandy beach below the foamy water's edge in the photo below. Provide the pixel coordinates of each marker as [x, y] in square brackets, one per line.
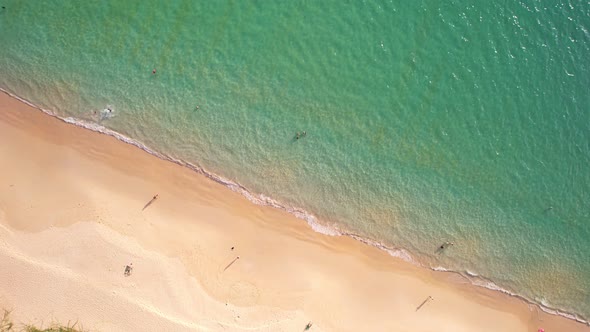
[73, 214]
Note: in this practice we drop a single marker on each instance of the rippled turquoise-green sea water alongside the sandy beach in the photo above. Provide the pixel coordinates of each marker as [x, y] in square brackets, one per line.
[424, 121]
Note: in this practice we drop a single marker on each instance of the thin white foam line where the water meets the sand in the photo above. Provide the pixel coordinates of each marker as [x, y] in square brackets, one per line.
[261, 199]
